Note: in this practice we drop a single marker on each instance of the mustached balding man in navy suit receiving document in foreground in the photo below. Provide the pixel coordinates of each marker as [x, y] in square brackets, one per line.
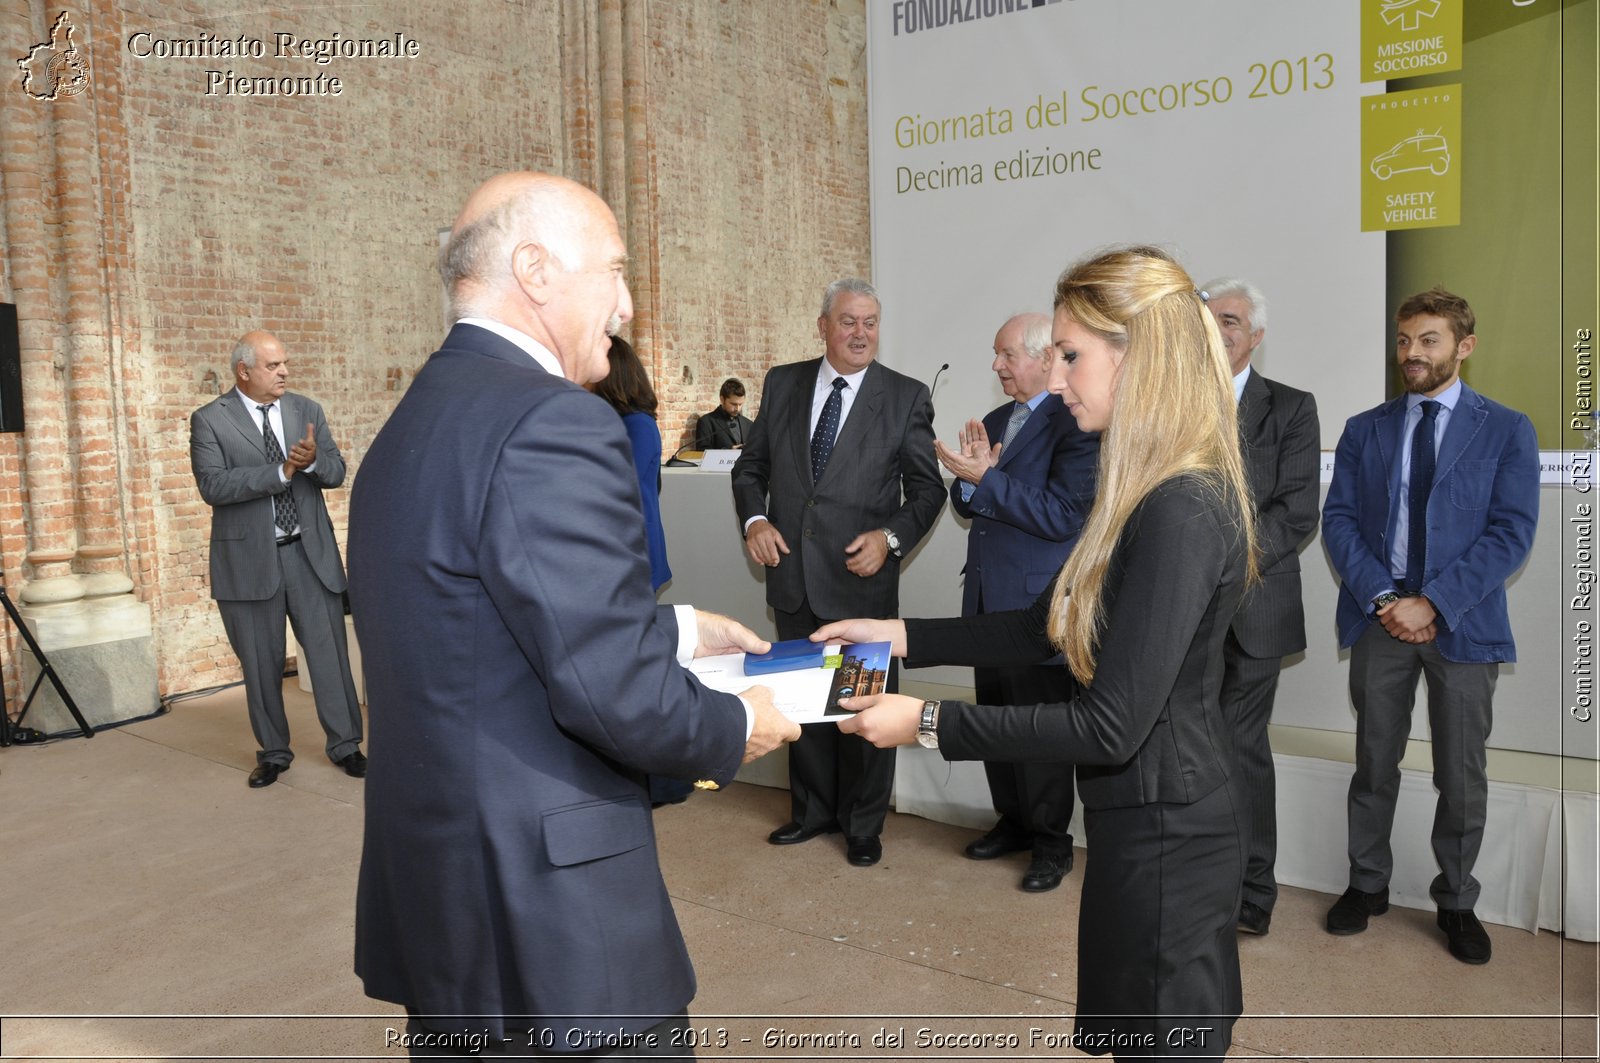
[510, 862]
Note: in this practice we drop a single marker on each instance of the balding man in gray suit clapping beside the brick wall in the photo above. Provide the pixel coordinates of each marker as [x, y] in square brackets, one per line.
[263, 459]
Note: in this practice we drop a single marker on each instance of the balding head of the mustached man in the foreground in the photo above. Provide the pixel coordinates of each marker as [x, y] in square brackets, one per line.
[543, 255]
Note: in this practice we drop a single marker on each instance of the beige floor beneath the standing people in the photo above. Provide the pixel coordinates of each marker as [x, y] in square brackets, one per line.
[154, 907]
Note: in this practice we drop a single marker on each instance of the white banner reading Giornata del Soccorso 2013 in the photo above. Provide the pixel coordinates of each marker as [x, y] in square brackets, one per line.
[1010, 138]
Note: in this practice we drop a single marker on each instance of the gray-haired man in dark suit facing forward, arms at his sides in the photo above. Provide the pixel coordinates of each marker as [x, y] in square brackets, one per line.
[834, 487]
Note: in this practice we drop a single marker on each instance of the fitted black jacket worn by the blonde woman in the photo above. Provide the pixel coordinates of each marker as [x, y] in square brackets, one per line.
[1150, 729]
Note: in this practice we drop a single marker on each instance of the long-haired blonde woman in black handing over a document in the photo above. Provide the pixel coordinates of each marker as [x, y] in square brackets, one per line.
[1140, 611]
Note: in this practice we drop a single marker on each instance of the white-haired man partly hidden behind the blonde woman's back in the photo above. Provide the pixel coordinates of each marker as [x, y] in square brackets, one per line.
[1282, 447]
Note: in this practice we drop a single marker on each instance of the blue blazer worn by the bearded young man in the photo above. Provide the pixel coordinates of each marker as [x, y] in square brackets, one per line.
[1481, 519]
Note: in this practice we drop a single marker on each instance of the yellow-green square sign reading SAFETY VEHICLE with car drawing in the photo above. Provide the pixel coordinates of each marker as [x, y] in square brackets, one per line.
[1412, 159]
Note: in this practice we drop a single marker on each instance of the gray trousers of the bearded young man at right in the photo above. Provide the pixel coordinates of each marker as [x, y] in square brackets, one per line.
[1460, 700]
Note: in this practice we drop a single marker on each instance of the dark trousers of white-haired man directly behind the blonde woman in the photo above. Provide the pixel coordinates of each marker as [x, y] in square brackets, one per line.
[1249, 689]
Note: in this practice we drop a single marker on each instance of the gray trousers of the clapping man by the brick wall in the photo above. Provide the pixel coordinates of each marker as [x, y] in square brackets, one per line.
[255, 630]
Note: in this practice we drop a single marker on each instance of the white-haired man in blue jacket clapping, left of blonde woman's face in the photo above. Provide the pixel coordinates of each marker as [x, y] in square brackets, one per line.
[1026, 495]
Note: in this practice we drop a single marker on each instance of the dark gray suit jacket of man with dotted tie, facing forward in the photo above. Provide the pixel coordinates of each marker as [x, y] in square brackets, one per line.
[882, 475]
